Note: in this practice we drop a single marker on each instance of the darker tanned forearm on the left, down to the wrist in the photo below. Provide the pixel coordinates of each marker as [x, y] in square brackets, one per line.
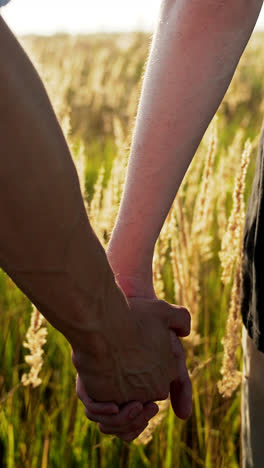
[47, 245]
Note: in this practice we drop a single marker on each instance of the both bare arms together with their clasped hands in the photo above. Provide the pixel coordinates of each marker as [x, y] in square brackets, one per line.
[163, 146]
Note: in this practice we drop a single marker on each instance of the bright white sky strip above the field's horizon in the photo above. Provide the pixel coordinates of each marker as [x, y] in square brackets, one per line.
[84, 16]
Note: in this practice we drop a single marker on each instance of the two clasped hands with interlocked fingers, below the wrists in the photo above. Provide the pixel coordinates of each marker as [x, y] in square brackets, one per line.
[138, 360]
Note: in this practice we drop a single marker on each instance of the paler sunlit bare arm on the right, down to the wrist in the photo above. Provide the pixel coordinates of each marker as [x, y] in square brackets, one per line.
[195, 51]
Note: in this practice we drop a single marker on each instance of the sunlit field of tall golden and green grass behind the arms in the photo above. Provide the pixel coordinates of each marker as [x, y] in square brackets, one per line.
[94, 84]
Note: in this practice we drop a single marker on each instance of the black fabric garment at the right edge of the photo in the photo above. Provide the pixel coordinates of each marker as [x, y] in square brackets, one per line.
[253, 249]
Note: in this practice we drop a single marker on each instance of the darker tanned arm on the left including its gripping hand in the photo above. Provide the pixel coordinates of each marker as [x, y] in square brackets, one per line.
[48, 248]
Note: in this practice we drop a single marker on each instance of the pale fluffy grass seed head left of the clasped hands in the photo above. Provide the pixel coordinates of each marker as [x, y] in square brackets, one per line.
[36, 337]
